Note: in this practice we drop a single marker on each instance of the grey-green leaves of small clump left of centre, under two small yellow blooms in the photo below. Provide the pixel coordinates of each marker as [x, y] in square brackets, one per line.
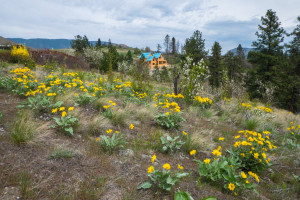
[110, 143]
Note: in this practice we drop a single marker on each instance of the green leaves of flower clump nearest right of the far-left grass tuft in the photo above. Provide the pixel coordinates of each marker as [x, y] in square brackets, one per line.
[66, 124]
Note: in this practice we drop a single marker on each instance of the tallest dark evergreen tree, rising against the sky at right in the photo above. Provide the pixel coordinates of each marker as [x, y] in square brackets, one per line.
[267, 57]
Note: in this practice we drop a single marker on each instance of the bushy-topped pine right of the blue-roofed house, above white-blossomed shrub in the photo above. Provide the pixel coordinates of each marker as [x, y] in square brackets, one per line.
[195, 47]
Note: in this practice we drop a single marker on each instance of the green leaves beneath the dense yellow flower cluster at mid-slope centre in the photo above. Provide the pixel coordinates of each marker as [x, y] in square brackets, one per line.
[169, 121]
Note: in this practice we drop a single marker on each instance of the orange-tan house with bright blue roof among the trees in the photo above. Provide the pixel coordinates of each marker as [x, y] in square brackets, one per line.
[156, 59]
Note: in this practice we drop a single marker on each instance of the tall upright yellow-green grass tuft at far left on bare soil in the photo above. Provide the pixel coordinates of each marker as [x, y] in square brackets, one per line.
[23, 128]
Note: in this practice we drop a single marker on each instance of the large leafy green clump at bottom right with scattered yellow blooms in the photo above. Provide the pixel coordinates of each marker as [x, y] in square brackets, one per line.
[225, 170]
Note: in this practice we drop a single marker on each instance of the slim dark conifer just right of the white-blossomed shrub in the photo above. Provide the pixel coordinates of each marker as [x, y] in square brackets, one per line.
[215, 66]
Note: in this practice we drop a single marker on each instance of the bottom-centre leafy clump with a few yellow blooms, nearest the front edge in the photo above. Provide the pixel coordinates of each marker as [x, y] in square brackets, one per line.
[163, 179]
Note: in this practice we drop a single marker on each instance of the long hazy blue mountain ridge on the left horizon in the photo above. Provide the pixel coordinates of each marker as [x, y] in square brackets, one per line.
[40, 43]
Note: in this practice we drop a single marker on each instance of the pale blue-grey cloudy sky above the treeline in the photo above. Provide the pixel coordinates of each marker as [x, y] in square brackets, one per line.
[140, 23]
